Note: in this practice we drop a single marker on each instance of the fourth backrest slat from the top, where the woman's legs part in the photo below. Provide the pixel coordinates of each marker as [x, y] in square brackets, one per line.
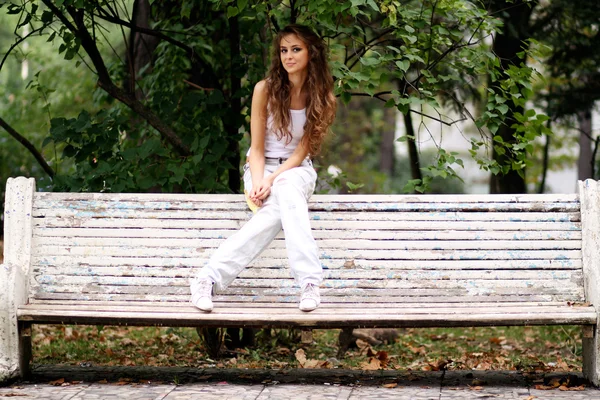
[111, 232]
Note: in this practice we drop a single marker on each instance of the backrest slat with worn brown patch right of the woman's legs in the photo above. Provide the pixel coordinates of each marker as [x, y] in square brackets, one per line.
[74, 261]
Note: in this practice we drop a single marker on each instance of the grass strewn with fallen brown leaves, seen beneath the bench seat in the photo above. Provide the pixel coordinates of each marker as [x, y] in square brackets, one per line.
[555, 348]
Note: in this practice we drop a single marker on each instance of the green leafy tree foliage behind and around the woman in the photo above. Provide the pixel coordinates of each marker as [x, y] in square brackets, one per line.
[426, 56]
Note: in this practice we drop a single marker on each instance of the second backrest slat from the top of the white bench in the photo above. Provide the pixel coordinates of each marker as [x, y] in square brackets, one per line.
[317, 215]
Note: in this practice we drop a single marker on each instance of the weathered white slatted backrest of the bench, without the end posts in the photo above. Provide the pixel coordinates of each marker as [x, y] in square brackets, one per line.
[374, 248]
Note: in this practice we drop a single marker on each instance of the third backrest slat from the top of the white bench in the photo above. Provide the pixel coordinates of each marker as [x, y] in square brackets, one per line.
[315, 224]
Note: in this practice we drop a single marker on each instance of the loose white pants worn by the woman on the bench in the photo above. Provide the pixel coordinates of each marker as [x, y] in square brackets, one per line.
[285, 207]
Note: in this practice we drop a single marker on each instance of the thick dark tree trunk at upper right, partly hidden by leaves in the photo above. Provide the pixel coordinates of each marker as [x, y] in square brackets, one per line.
[507, 46]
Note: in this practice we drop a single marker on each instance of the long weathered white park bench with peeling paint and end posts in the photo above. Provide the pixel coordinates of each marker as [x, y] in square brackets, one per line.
[389, 261]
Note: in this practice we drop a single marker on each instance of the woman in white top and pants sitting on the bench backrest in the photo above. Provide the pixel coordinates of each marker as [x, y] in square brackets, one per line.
[292, 110]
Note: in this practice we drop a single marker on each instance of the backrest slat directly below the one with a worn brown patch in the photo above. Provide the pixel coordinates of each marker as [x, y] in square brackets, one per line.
[337, 274]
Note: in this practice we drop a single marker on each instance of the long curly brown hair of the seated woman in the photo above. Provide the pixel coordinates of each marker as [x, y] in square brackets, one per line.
[320, 100]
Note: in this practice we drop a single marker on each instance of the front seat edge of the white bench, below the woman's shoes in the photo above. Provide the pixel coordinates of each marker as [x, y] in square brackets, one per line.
[580, 316]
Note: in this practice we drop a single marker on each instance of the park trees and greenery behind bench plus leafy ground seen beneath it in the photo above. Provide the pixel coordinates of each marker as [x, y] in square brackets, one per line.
[435, 96]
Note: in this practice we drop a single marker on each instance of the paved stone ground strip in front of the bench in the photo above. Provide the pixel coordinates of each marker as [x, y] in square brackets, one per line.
[133, 383]
